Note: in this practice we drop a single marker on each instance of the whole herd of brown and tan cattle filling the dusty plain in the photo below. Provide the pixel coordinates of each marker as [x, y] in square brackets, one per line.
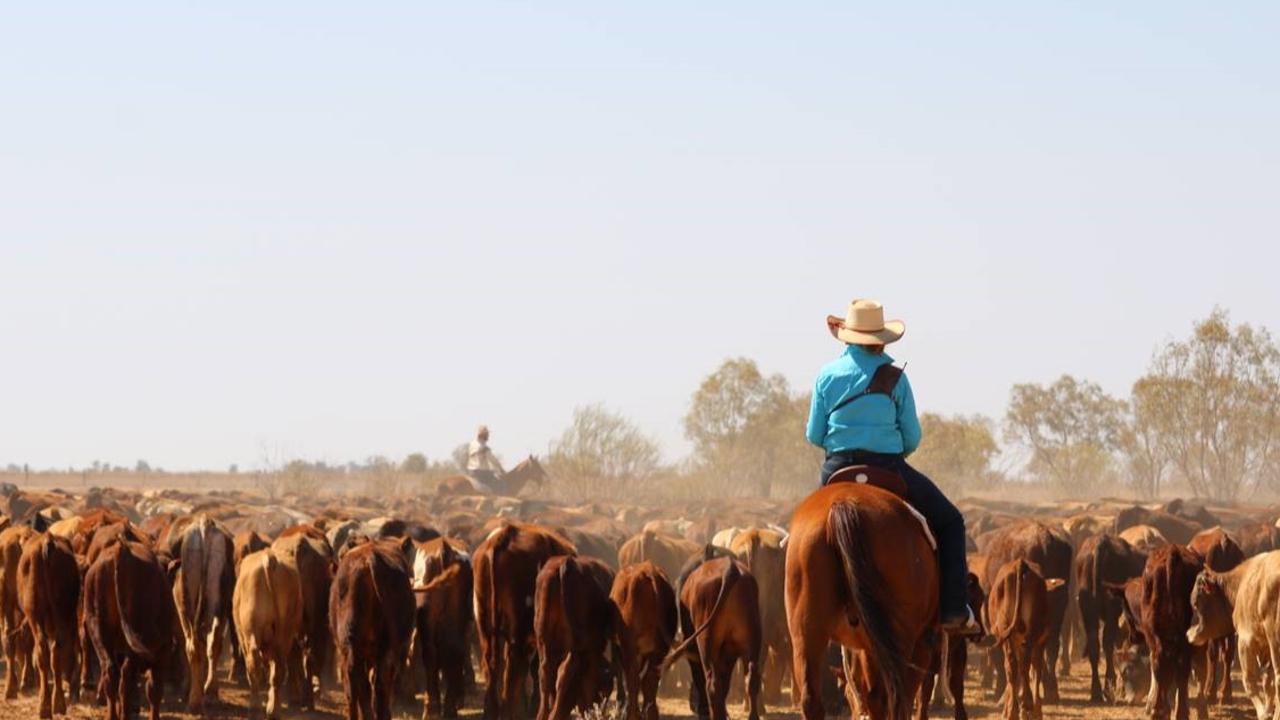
[551, 608]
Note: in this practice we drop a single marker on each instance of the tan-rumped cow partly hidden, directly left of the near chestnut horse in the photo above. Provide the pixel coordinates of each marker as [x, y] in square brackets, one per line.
[762, 552]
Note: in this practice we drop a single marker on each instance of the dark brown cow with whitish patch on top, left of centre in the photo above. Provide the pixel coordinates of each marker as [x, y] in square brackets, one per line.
[444, 585]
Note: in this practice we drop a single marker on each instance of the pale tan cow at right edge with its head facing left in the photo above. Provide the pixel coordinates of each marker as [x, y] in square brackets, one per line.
[1244, 603]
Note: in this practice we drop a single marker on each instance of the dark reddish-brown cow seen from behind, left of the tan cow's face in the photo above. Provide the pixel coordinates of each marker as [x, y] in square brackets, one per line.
[1167, 614]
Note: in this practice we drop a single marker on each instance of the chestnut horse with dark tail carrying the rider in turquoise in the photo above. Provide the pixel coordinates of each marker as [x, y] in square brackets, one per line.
[861, 571]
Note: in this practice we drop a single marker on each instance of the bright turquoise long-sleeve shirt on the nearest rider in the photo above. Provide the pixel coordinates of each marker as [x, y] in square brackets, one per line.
[875, 423]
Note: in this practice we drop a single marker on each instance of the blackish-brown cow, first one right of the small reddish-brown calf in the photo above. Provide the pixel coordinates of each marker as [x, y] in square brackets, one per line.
[1103, 559]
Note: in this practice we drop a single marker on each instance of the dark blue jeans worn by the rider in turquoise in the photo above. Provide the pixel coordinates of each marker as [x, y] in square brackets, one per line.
[944, 518]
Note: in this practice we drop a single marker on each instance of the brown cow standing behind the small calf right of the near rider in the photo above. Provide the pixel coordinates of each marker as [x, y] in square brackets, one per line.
[1040, 545]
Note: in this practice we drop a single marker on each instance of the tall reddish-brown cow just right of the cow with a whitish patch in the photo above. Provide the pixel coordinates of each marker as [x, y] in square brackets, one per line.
[506, 572]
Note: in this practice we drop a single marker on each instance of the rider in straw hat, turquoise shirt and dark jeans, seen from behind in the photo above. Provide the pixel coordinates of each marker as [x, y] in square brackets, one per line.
[863, 413]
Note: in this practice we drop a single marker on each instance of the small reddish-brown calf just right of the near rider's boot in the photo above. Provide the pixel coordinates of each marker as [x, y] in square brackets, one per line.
[1020, 622]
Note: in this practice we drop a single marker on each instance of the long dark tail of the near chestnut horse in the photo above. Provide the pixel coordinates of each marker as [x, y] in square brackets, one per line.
[888, 662]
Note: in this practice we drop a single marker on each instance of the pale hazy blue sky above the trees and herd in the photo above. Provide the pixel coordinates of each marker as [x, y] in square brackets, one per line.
[342, 230]
